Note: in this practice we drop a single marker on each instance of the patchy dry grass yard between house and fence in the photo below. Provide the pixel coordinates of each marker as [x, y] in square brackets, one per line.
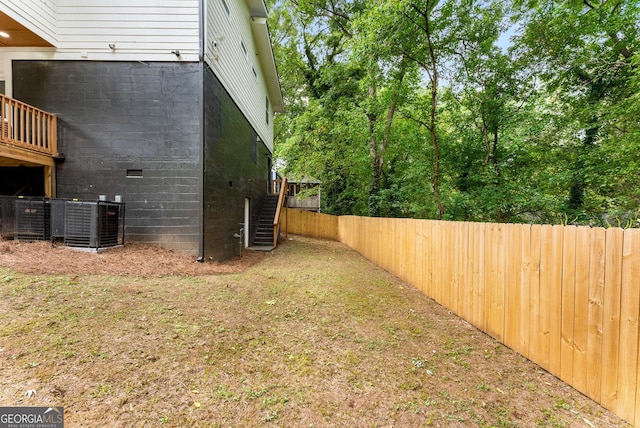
[311, 335]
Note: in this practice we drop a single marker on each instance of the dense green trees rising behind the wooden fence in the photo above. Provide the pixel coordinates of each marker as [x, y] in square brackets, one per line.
[510, 111]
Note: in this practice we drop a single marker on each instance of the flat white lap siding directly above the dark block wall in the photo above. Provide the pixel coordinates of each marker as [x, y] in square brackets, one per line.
[132, 26]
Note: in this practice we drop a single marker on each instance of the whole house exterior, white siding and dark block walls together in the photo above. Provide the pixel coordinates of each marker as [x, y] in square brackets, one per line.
[197, 131]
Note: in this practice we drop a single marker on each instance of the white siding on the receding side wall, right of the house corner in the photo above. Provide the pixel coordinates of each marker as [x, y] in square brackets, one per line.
[226, 34]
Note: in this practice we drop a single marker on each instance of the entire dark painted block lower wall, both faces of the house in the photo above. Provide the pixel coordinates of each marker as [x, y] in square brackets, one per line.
[119, 116]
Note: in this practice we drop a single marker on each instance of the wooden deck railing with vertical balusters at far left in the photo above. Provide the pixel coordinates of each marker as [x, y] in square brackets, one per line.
[27, 127]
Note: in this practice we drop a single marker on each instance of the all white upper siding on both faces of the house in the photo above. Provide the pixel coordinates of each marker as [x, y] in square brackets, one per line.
[150, 30]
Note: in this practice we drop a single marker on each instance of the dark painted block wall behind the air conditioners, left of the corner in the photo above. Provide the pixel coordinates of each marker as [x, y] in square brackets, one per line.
[120, 117]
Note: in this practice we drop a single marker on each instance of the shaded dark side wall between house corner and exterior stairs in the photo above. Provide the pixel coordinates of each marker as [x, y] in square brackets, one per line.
[235, 168]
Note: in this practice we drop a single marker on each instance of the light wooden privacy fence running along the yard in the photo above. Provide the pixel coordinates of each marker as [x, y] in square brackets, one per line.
[566, 297]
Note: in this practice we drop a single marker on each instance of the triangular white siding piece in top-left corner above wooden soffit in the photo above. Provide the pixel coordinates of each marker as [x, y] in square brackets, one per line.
[39, 16]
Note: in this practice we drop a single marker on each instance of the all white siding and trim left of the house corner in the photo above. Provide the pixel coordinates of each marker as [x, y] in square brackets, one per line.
[140, 30]
